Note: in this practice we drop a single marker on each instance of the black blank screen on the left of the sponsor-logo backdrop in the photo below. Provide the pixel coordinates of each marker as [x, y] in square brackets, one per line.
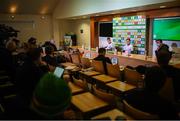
[105, 29]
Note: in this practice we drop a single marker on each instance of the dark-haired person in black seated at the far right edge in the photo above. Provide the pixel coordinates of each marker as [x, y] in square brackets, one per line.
[163, 58]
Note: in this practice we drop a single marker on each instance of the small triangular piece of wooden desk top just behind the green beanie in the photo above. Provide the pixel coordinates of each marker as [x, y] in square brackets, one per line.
[75, 89]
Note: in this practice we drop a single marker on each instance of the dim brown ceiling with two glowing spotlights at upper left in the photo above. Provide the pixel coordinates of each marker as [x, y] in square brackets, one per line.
[27, 6]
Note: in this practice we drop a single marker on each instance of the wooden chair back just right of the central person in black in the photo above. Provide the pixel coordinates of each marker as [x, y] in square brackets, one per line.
[113, 70]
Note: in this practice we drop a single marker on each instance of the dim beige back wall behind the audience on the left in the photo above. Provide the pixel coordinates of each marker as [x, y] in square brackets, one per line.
[30, 25]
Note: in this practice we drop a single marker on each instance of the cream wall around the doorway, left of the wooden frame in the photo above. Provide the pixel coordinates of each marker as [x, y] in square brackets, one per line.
[74, 26]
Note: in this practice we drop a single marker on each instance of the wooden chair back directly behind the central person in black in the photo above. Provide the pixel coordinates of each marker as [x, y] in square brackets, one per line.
[98, 66]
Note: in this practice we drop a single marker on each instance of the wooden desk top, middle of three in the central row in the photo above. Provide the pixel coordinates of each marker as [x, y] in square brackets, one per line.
[104, 78]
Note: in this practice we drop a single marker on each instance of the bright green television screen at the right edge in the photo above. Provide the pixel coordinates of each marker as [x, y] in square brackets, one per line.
[166, 29]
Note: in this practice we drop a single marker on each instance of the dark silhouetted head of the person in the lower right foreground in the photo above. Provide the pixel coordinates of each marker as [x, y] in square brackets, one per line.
[154, 79]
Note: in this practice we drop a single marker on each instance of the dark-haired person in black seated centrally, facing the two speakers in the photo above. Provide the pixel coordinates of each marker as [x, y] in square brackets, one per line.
[101, 57]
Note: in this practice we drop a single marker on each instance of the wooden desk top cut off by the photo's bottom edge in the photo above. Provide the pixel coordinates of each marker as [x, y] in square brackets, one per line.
[112, 114]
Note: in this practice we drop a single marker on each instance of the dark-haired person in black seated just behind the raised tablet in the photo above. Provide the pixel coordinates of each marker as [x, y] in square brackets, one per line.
[49, 58]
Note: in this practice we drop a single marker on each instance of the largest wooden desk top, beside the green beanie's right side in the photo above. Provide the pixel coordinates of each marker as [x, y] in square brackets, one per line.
[86, 102]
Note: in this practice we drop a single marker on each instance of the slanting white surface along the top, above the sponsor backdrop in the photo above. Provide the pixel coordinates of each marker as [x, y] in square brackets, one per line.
[70, 8]
